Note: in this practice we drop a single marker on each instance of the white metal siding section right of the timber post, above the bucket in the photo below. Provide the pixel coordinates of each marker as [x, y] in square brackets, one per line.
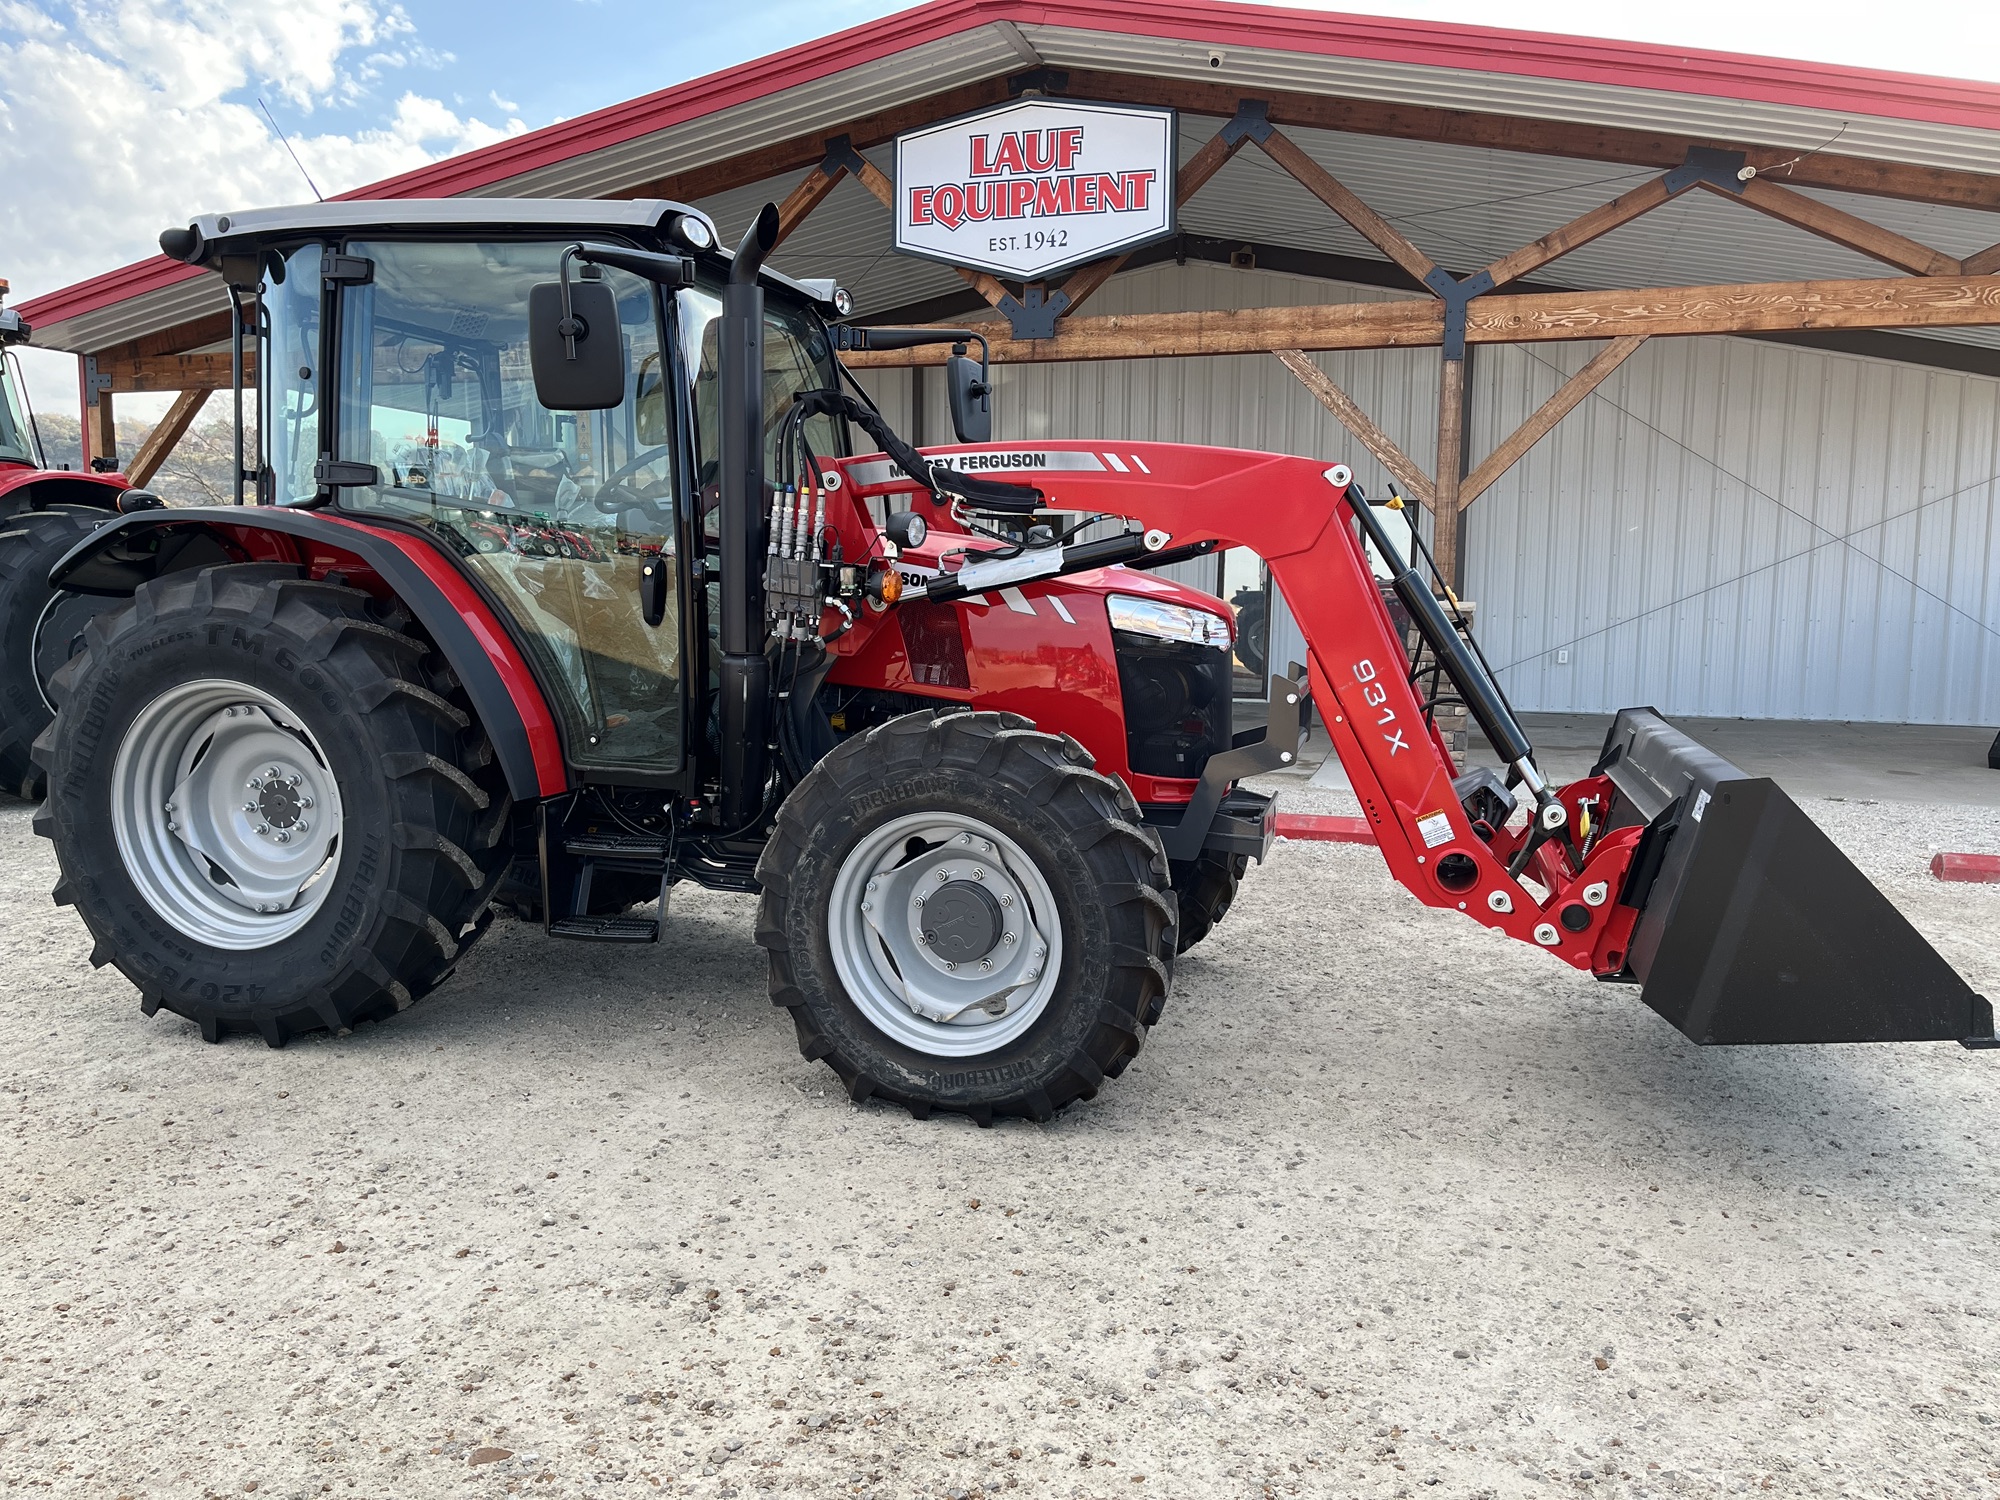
[1743, 529]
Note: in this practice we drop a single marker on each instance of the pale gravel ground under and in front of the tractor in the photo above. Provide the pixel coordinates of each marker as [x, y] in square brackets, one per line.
[1387, 1203]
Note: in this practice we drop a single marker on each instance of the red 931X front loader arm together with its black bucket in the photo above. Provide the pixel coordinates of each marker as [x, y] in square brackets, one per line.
[1667, 867]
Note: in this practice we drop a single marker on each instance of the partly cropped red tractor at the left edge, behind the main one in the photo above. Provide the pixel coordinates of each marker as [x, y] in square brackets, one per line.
[43, 515]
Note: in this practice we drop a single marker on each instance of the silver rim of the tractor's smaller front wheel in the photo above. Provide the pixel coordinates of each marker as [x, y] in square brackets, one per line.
[945, 935]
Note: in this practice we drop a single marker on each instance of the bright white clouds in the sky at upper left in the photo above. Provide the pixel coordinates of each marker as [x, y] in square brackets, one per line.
[117, 123]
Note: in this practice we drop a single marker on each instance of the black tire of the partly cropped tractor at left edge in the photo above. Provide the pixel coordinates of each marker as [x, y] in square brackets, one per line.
[39, 629]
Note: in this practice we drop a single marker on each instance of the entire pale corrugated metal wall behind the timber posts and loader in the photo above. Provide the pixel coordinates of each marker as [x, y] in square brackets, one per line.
[1725, 527]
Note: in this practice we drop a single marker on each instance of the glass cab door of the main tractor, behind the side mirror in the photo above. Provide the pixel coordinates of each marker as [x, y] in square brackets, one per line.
[555, 513]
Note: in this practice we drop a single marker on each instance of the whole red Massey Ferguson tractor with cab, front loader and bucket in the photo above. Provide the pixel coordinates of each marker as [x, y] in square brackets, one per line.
[577, 567]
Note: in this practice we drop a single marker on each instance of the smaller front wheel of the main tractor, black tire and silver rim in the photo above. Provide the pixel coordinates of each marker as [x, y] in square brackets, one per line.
[1033, 859]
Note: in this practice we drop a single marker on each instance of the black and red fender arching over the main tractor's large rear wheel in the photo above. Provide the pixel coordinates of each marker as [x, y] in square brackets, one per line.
[381, 559]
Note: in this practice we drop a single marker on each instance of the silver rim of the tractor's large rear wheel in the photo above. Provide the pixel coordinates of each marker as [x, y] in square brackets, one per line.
[227, 815]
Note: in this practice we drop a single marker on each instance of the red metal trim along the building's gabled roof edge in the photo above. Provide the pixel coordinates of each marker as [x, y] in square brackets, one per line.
[1475, 49]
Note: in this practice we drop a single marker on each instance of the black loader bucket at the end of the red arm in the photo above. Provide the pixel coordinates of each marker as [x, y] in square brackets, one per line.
[1753, 927]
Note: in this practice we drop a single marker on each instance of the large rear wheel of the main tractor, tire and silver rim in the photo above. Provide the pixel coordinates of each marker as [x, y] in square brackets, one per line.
[341, 719]
